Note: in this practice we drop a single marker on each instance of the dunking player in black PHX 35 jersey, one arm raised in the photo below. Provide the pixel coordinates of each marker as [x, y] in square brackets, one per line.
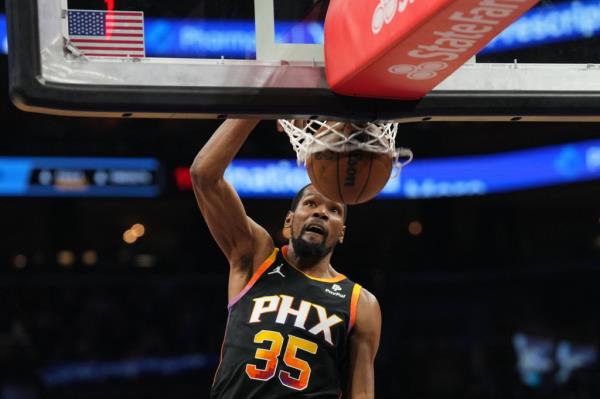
[297, 328]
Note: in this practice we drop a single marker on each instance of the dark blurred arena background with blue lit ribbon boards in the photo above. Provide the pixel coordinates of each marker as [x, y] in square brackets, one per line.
[488, 286]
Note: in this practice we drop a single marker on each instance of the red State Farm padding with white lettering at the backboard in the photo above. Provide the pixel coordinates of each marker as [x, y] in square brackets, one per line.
[402, 49]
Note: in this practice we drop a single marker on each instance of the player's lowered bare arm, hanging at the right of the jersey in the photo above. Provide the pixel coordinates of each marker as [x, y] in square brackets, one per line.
[364, 343]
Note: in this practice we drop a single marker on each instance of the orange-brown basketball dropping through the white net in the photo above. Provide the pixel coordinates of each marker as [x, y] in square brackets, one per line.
[349, 177]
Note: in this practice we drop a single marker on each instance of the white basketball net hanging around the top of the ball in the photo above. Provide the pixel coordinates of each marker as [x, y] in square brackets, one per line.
[314, 136]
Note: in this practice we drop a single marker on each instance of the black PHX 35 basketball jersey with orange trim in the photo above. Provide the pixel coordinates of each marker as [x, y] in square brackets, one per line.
[287, 335]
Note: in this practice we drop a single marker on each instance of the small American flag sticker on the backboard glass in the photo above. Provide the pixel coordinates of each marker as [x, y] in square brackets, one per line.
[107, 33]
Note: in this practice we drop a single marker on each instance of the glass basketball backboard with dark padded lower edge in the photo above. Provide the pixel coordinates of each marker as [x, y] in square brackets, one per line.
[208, 59]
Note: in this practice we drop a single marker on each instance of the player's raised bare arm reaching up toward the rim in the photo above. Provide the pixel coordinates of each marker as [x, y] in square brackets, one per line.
[245, 244]
